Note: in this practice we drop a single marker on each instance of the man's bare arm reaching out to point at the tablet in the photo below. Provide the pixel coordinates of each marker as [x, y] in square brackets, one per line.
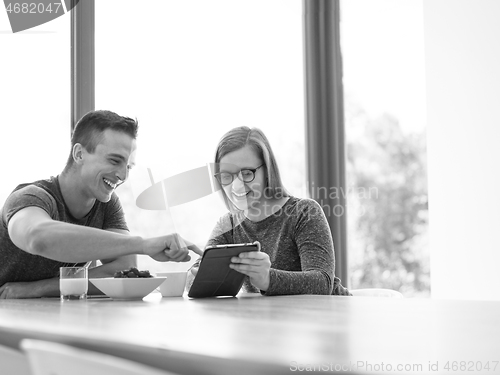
[32, 230]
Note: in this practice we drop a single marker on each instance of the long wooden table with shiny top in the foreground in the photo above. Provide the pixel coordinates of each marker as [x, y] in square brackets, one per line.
[271, 335]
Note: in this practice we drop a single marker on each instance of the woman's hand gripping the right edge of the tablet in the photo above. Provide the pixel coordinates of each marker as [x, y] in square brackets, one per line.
[256, 265]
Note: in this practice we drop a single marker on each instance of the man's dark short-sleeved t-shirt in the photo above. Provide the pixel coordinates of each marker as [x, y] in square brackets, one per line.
[19, 265]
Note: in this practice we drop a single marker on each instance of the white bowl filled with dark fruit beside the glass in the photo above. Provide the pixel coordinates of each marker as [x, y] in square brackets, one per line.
[127, 288]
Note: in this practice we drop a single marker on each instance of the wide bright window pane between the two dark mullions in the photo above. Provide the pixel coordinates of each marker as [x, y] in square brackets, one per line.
[189, 72]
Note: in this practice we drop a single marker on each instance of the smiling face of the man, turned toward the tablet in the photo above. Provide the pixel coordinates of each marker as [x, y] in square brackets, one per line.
[105, 169]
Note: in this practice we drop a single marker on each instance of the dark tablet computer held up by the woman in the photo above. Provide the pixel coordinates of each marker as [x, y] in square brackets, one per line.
[214, 277]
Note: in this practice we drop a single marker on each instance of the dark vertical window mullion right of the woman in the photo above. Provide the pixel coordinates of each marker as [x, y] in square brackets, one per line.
[325, 143]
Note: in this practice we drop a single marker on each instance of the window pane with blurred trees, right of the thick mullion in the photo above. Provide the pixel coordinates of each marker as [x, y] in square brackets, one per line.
[384, 82]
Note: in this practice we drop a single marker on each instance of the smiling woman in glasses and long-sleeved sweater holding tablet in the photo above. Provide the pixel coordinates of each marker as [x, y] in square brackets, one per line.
[296, 254]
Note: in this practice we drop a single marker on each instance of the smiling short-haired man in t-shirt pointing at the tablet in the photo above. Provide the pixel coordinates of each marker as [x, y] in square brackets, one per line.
[76, 217]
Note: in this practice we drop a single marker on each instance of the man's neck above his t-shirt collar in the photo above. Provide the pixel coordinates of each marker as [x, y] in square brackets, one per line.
[76, 201]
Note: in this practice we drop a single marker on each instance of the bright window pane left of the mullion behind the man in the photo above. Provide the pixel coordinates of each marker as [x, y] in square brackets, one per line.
[35, 102]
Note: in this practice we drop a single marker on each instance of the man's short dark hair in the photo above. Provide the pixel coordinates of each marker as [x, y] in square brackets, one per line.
[88, 131]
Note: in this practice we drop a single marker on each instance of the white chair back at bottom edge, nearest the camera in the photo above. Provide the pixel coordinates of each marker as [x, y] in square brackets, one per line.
[50, 358]
